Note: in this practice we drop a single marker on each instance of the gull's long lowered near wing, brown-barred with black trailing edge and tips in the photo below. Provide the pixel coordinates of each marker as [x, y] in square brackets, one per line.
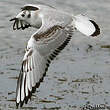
[41, 49]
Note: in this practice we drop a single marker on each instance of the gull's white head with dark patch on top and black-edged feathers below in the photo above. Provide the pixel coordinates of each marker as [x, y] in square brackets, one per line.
[29, 16]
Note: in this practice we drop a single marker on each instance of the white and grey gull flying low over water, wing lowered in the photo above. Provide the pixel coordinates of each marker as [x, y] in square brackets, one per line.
[54, 29]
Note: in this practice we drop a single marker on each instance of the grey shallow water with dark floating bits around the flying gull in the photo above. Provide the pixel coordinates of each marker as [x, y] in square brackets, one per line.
[78, 76]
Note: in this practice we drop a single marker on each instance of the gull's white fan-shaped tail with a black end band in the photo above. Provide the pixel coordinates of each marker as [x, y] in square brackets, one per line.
[86, 25]
